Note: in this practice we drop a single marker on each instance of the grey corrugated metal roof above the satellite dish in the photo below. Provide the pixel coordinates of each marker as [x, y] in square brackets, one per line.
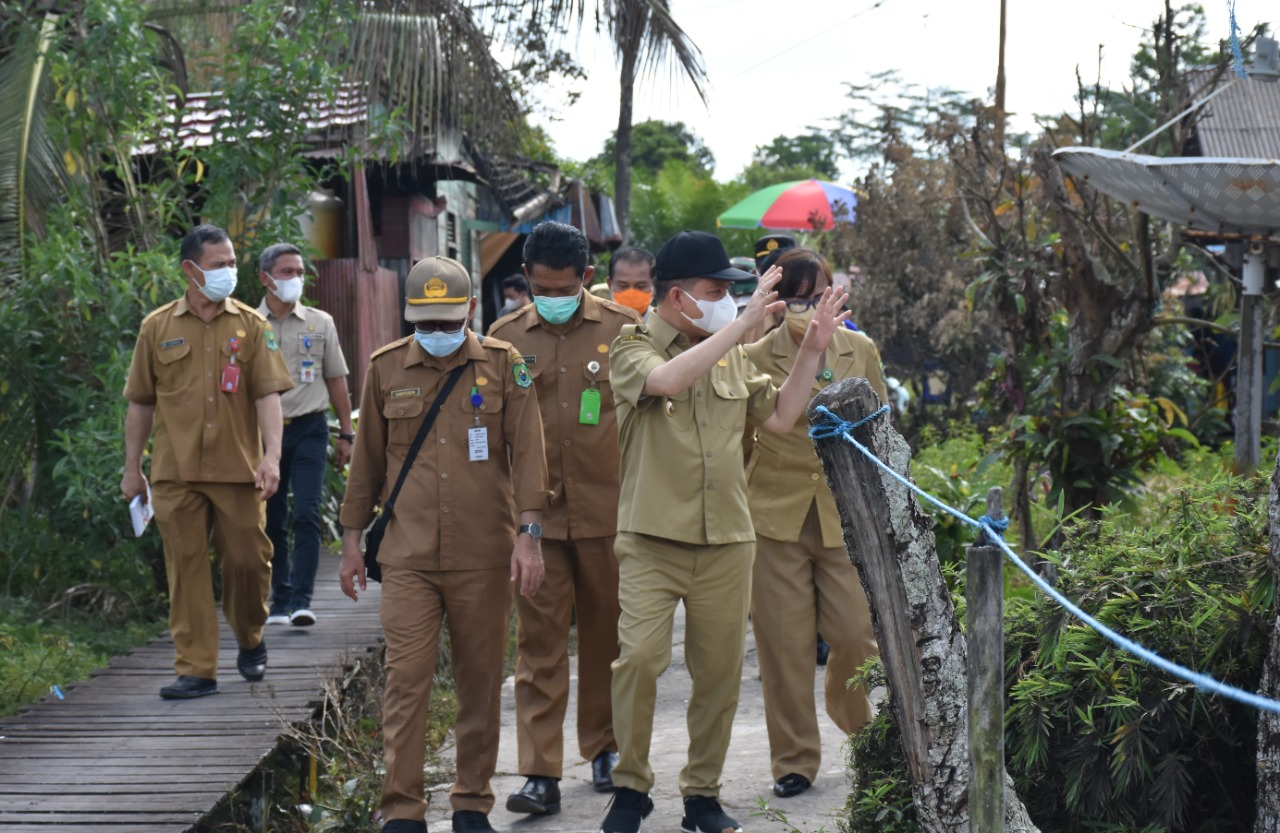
[1242, 122]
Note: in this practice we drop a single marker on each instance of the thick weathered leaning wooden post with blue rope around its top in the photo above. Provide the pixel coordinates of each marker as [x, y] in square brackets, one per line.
[890, 541]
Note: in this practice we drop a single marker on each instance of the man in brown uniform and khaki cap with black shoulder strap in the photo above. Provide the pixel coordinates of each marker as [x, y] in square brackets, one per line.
[452, 548]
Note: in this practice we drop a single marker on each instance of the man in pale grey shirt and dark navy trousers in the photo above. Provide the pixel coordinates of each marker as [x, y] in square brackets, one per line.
[309, 346]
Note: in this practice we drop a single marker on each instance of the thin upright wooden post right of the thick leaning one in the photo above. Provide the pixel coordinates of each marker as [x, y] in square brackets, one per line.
[985, 615]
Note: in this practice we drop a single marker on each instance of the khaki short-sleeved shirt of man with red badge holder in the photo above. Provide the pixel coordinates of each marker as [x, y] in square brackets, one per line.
[202, 433]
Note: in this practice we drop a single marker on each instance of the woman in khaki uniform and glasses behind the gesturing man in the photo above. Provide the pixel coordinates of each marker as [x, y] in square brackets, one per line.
[803, 582]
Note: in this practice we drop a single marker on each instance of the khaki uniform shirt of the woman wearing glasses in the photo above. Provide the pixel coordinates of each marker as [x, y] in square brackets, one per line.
[785, 475]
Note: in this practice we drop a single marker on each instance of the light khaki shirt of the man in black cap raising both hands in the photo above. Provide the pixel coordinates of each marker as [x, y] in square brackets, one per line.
[683, 475]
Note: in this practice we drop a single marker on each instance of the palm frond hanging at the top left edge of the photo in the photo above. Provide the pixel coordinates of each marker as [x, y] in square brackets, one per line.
[31, 166]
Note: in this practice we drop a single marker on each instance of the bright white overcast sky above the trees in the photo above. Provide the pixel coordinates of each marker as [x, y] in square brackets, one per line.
[779, 66]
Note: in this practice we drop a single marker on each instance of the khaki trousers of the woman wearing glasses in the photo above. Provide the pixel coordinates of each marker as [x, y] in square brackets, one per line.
[801, 591]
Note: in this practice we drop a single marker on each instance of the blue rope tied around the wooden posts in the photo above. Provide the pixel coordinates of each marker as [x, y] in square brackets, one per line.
[835, 427]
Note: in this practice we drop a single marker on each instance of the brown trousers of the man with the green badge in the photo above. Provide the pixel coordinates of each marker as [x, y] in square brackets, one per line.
[582, 575]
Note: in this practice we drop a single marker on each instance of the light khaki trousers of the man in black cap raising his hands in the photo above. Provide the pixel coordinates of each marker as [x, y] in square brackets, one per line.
[715, 583]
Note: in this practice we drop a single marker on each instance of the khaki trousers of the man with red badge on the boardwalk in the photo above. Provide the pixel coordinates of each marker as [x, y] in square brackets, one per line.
[188, 514]
